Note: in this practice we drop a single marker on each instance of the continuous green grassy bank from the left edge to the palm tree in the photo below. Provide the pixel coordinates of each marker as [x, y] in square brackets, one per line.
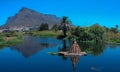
[13, 38]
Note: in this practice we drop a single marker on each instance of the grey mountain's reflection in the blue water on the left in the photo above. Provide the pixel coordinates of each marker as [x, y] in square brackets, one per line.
[33, 45]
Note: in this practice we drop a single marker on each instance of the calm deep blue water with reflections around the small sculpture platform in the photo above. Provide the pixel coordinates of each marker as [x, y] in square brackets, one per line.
[32, 56]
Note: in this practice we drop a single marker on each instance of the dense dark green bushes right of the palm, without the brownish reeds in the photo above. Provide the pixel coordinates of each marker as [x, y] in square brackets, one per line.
[93, 33]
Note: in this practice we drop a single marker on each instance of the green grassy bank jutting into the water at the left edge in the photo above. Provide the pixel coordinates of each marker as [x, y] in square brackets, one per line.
[10, 39]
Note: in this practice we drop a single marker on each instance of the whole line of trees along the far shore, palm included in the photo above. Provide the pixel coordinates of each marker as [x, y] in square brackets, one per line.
[95, 33]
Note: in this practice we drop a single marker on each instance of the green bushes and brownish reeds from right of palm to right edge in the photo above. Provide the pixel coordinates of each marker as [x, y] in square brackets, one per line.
[96, 33]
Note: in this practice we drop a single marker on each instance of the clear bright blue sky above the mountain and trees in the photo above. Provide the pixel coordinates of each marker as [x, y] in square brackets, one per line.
[80, 12]
